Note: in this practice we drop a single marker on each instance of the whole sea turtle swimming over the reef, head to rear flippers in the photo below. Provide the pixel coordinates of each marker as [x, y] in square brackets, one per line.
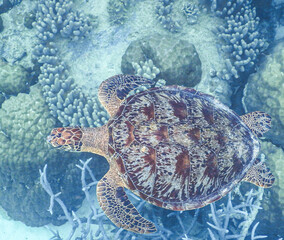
[175, 147]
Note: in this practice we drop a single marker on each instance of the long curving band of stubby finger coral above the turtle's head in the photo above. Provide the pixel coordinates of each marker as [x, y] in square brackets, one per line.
[66, 101]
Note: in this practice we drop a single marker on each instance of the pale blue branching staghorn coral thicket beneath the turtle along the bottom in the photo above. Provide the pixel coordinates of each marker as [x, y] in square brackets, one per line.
[235, 219]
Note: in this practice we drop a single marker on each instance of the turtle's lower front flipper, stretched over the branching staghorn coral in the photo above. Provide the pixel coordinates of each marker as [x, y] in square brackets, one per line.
[117, 207]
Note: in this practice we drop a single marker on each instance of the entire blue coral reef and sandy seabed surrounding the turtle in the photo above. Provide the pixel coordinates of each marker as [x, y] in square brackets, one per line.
[55, 54]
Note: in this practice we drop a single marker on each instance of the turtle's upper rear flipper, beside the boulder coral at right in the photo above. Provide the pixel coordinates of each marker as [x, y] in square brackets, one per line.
[259, 122]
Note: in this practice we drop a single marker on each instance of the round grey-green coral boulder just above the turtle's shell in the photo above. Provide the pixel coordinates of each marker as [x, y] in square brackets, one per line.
[176, 59]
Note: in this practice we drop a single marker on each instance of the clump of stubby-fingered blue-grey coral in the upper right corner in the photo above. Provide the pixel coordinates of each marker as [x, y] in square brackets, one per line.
[240, 35]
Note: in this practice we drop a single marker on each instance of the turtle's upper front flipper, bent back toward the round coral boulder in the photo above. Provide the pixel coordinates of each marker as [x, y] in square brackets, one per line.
[115, 89]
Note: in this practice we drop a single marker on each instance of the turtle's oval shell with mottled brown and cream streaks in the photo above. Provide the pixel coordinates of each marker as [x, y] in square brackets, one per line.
[178, 148]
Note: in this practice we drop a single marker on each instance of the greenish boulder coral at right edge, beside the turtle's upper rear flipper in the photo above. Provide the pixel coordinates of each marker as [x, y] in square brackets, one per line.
[264, 92]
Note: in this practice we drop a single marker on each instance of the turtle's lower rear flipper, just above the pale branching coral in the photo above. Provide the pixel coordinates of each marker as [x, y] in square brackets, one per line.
[260, 175]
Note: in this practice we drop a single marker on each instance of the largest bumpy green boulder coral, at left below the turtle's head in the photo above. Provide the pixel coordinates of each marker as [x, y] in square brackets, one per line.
[25, 122]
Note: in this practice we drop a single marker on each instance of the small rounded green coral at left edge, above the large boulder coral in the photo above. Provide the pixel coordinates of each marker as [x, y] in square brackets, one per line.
[14, 78]
